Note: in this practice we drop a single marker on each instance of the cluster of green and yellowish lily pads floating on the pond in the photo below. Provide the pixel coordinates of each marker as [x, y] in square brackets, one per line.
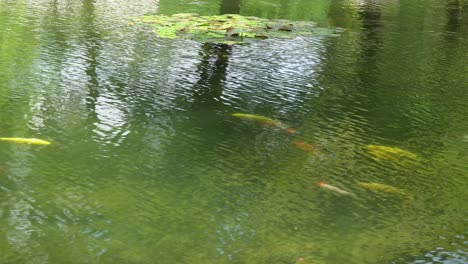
[230, 28]
